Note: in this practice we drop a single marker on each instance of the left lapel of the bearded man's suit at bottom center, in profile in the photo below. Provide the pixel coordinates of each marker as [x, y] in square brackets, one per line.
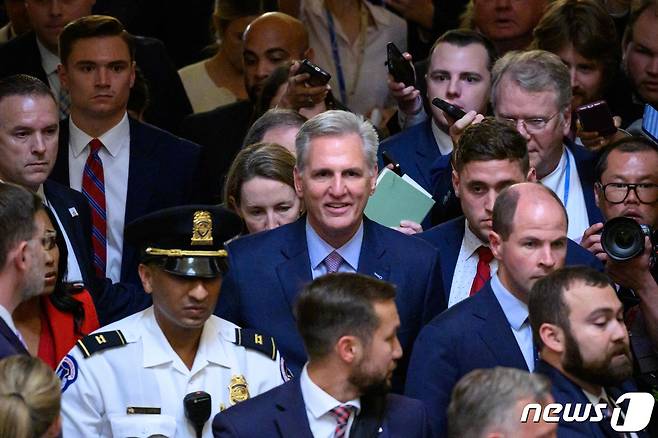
[291, 419]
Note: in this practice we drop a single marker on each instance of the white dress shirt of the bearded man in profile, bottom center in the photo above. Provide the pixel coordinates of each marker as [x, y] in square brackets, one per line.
[318, 406]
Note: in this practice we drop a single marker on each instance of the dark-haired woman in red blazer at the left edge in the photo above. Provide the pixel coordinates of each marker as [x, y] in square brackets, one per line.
[52, 322]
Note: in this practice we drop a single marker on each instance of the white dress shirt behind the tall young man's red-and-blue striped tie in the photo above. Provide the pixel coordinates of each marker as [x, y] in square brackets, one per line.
[115, 155]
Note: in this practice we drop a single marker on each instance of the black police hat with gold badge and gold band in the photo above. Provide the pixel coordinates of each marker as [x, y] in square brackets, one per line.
[188, 240]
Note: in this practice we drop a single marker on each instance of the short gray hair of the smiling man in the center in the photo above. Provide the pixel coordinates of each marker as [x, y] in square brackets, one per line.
[336, 123]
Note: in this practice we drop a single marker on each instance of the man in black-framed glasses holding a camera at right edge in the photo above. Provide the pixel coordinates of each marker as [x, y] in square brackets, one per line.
[627, 185]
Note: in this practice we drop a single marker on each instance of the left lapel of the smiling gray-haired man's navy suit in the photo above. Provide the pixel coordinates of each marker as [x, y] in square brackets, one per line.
[295, 271]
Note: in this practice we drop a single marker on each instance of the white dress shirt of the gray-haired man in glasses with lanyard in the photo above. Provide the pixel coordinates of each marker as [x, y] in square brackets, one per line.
[575, 205]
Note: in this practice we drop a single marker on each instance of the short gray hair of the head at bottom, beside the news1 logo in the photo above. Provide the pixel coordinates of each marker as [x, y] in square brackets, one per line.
[485, 400]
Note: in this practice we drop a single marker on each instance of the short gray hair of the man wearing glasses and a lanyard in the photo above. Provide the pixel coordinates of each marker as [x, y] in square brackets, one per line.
[534, 71]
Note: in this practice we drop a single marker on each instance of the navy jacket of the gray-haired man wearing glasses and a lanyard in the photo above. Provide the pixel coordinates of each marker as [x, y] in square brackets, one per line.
[448, 203]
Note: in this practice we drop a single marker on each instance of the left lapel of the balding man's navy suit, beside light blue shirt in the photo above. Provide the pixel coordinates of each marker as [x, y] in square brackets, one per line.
[495, 331]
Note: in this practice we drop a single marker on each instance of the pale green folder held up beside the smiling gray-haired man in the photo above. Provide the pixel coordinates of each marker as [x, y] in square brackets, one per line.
[397, 198]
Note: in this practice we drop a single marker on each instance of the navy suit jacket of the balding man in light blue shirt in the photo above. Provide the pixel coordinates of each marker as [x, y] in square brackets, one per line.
[471, 334]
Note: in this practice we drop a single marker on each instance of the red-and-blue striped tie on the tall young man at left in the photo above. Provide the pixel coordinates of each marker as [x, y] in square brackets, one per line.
[93, 188]
